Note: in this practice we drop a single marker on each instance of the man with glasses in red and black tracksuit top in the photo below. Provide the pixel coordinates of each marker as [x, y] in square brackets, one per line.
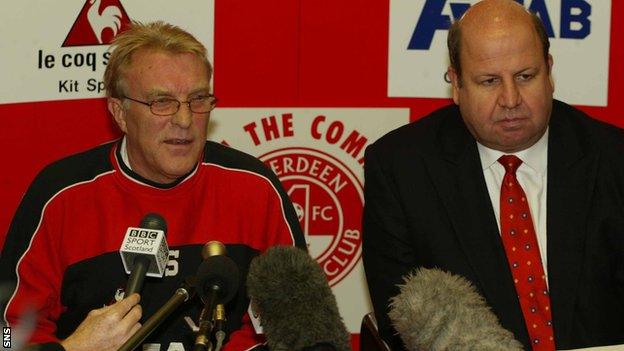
[61, 251]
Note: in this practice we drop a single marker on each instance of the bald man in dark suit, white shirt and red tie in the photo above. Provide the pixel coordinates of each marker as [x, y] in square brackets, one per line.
[505, 162]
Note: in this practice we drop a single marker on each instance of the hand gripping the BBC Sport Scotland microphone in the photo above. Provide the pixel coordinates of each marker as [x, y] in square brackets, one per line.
[106, 328]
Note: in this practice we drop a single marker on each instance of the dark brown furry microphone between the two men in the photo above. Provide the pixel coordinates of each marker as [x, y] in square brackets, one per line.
[297, 308]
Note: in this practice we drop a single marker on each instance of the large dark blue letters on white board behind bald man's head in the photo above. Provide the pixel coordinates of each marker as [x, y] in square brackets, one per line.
[574, 19]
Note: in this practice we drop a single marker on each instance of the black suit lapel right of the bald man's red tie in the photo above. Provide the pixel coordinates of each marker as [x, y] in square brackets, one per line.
[571, 177]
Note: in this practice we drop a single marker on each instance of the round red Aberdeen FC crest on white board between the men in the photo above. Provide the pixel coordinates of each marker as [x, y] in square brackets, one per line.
[328, 200]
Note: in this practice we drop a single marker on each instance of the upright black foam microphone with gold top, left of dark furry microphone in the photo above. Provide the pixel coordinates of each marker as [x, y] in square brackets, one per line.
[218, 285]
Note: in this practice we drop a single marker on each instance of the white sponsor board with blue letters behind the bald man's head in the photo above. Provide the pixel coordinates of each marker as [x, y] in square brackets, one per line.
[579, 32]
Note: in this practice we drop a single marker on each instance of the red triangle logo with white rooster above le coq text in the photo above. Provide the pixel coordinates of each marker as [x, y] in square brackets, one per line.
[98, 23]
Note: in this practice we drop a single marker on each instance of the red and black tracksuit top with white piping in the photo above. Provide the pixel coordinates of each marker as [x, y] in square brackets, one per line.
[62, 248]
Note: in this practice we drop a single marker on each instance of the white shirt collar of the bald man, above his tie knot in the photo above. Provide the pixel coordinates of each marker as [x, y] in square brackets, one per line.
[536, 156]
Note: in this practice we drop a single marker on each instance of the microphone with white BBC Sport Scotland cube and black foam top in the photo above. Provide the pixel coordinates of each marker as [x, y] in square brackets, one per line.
[144, 251]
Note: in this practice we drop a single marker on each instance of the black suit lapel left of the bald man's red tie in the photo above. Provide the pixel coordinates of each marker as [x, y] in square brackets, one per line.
[462, 187]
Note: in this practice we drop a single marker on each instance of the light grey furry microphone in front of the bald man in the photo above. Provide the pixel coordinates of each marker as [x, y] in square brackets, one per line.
[436, 310]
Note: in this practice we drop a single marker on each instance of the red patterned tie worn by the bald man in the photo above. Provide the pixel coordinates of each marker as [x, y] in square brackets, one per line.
[520, 241]
